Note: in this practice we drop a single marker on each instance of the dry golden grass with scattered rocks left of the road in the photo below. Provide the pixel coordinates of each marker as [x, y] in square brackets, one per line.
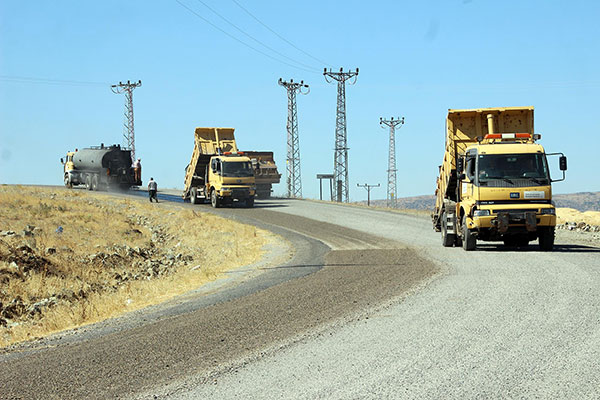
[70, 257]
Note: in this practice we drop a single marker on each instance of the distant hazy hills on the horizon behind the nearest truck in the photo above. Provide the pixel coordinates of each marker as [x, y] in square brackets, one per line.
[585, 201]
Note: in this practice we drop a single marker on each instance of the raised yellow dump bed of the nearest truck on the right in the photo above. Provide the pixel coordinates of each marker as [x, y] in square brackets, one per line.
[463, 127]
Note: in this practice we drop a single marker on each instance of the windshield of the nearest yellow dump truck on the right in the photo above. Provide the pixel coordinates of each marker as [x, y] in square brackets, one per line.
[514, 169]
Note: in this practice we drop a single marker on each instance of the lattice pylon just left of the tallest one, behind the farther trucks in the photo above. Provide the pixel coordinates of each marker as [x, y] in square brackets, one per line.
[294, 181]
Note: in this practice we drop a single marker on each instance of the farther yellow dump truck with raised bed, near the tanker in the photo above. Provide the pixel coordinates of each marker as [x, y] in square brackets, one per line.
[218, 171]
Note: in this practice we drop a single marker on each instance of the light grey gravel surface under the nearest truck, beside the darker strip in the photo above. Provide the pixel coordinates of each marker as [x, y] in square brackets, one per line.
[499, 323]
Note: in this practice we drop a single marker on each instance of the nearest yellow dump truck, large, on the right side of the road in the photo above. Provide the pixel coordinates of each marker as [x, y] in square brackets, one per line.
[494, 183]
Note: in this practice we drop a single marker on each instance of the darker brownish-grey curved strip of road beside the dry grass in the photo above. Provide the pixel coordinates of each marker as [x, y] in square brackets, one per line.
[337, 274]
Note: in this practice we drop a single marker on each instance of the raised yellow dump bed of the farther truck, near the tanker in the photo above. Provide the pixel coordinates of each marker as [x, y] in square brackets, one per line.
[207, 142]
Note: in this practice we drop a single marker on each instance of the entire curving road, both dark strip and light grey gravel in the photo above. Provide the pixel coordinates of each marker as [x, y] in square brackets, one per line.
[418, 321]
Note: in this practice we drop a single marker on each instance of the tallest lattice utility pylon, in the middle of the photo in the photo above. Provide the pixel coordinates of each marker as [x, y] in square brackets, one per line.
[340, 159]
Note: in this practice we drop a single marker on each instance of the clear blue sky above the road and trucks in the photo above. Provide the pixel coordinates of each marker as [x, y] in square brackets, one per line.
[416, 60]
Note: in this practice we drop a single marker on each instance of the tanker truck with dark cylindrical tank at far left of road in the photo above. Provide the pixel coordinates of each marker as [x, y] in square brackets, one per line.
[100, 168]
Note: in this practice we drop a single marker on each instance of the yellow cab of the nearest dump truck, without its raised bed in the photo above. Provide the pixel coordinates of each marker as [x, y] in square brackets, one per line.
[505, 192]
